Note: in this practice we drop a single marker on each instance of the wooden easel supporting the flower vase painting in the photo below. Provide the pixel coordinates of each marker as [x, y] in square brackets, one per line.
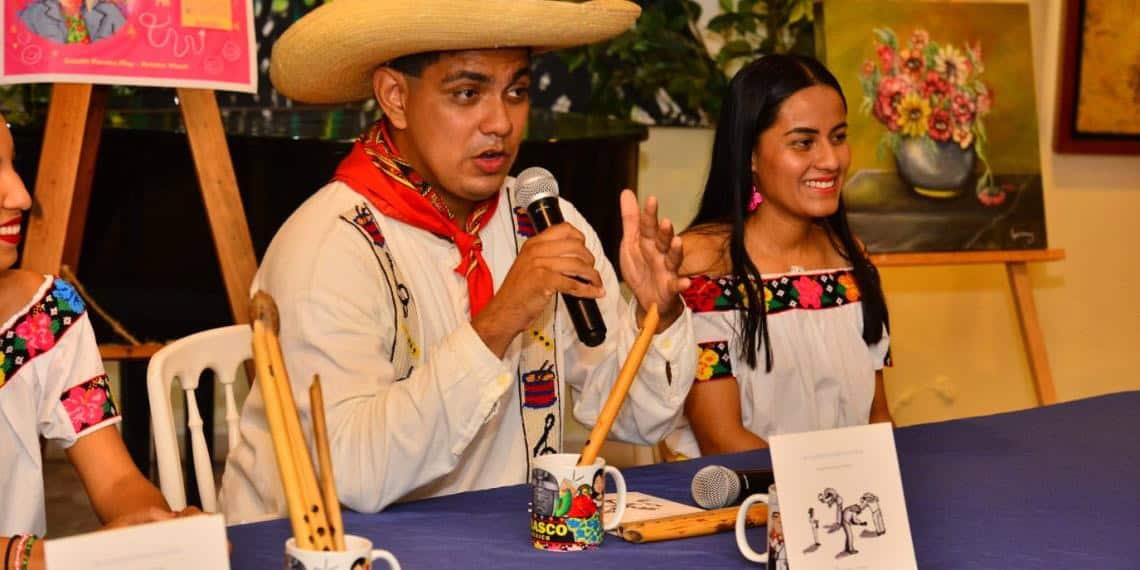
[1019, 274]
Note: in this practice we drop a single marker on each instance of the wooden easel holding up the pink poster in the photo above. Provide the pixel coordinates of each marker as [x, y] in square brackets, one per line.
[63, 191]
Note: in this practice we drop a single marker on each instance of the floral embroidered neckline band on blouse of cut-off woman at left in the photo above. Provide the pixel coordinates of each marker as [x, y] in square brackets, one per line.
[38, 330]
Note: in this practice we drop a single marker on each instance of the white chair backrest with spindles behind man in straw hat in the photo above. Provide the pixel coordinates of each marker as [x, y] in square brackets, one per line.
[221, 351]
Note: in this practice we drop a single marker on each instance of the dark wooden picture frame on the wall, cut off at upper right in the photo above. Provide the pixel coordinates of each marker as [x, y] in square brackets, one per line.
[1068, 139]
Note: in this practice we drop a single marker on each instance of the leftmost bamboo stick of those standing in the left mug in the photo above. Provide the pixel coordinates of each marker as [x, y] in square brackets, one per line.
[286, 467]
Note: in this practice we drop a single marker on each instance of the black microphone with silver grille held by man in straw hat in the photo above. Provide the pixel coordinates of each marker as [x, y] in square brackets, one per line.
[539, 192]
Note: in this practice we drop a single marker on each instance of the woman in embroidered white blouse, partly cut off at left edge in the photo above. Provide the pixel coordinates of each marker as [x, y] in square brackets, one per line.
[53, 386]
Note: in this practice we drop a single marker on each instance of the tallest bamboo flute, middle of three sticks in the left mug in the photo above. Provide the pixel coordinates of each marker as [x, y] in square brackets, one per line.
[311, 493]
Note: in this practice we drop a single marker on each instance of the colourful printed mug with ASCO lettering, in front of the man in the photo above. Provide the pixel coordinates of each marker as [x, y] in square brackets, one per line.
[567, 503]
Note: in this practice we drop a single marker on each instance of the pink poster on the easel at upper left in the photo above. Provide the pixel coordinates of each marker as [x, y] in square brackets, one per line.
[198, 44]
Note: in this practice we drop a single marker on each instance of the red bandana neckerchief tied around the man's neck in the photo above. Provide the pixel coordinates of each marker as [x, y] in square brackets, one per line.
[376, 170]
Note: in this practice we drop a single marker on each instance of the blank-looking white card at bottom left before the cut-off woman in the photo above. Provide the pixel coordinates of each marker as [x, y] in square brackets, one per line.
[191, 543]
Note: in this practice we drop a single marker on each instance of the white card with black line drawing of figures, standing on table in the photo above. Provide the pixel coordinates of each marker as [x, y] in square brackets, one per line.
[860, 467]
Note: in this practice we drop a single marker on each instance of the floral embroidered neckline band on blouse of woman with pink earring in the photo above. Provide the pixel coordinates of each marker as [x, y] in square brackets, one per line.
[783, 294]
